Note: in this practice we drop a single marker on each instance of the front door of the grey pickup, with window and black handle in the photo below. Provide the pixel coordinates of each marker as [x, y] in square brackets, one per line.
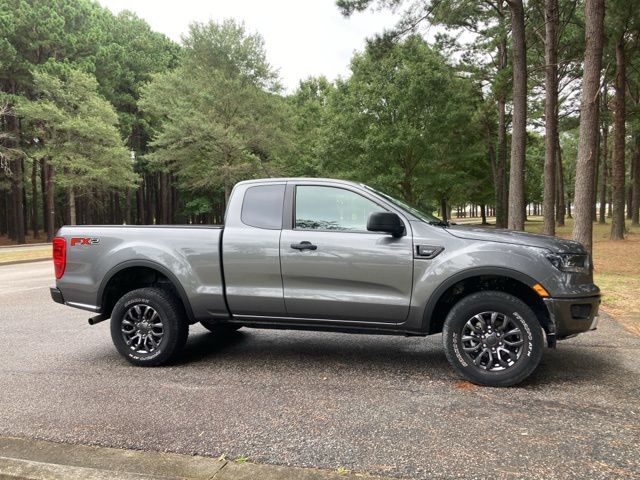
[332, 267]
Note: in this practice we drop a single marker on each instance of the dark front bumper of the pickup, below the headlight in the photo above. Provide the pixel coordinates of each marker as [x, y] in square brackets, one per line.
[573, 315]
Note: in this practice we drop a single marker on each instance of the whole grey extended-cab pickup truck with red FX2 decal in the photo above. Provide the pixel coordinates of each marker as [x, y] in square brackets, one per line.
[332, 255]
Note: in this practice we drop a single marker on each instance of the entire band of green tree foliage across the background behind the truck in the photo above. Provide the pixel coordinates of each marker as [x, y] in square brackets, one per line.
[417, 119]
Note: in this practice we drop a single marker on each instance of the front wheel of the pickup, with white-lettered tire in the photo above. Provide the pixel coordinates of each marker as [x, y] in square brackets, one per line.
[493, 338]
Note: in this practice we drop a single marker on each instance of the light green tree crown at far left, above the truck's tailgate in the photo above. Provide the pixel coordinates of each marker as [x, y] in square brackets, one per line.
[77, 129]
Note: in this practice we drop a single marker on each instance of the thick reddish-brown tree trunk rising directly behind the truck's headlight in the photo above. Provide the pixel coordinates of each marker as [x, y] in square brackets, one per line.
[588, 139]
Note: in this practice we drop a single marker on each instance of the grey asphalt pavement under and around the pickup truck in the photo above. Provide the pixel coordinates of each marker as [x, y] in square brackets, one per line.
[381, 404]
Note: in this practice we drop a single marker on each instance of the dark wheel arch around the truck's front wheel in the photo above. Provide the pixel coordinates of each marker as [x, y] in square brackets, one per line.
[473, 280]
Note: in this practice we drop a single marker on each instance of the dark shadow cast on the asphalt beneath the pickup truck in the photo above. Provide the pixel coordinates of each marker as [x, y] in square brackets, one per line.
[379, 357]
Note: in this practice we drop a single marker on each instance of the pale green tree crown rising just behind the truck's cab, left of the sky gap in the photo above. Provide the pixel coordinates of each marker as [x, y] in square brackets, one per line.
[219, 124]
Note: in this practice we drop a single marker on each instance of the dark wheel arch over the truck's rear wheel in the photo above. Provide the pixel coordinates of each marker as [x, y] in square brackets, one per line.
[106, 289]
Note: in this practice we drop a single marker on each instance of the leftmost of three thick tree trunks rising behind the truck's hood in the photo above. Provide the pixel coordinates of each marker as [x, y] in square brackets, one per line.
[519, 122]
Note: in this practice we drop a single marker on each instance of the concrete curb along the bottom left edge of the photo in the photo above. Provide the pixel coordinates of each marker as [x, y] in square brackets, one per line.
[28, 459]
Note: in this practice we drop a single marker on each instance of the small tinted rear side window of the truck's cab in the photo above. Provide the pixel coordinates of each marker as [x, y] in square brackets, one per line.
[262, 206]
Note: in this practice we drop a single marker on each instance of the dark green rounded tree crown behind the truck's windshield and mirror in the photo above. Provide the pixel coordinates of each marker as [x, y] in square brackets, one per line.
[404, 122]
